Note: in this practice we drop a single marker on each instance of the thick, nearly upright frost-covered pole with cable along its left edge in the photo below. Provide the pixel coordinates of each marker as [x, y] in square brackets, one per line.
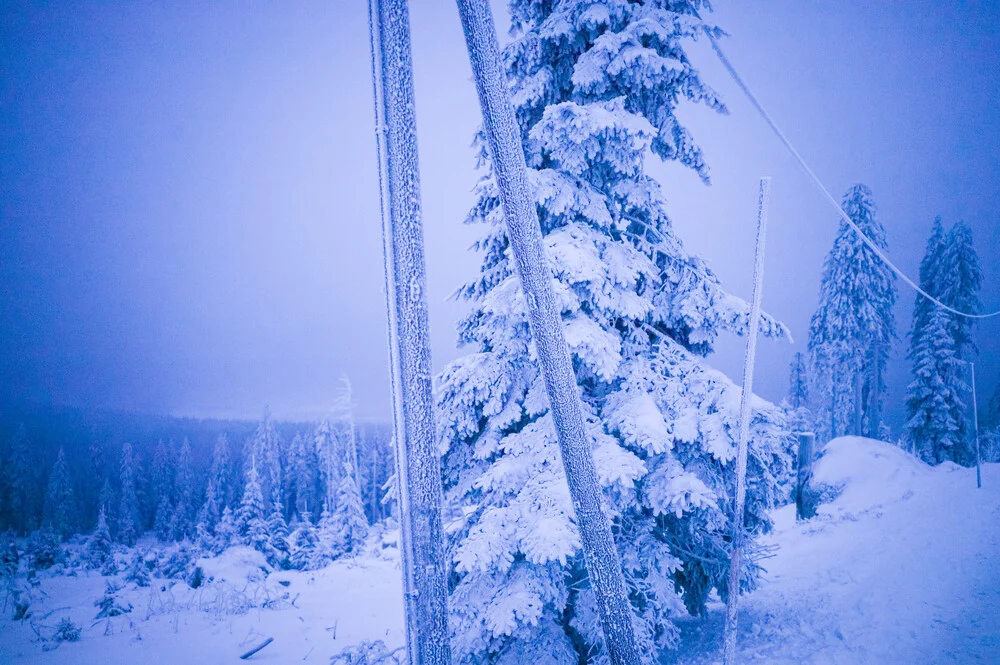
[418, 466]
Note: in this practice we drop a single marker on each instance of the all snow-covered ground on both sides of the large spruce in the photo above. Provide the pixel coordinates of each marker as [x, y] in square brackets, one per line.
[902, 567]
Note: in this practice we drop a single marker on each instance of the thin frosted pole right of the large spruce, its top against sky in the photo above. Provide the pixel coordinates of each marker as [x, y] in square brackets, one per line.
[739, 533]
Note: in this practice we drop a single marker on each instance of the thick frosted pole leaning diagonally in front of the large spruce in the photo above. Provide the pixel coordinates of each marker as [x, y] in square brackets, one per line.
[525, 236]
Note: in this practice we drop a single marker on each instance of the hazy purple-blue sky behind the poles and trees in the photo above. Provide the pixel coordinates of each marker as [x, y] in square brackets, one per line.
[189, 208]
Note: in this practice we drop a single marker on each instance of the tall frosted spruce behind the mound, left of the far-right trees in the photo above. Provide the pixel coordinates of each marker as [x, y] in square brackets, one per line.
[852, 330]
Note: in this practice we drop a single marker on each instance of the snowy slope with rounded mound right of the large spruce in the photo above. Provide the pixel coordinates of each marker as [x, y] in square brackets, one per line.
[902, 567]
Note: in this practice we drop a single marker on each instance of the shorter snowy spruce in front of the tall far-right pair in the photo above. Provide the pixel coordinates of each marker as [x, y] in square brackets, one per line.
[933, 398]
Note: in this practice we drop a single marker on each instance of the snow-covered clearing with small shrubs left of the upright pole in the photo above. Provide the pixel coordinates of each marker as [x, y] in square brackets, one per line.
[315, 616]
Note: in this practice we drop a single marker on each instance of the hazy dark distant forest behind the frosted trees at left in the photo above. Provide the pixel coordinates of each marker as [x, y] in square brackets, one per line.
[92, 442]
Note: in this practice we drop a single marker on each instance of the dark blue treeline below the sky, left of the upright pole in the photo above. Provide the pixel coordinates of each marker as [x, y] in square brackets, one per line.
[172, 464]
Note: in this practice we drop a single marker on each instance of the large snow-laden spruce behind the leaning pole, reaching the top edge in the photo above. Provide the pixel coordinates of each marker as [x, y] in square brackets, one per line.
[595, 86]
